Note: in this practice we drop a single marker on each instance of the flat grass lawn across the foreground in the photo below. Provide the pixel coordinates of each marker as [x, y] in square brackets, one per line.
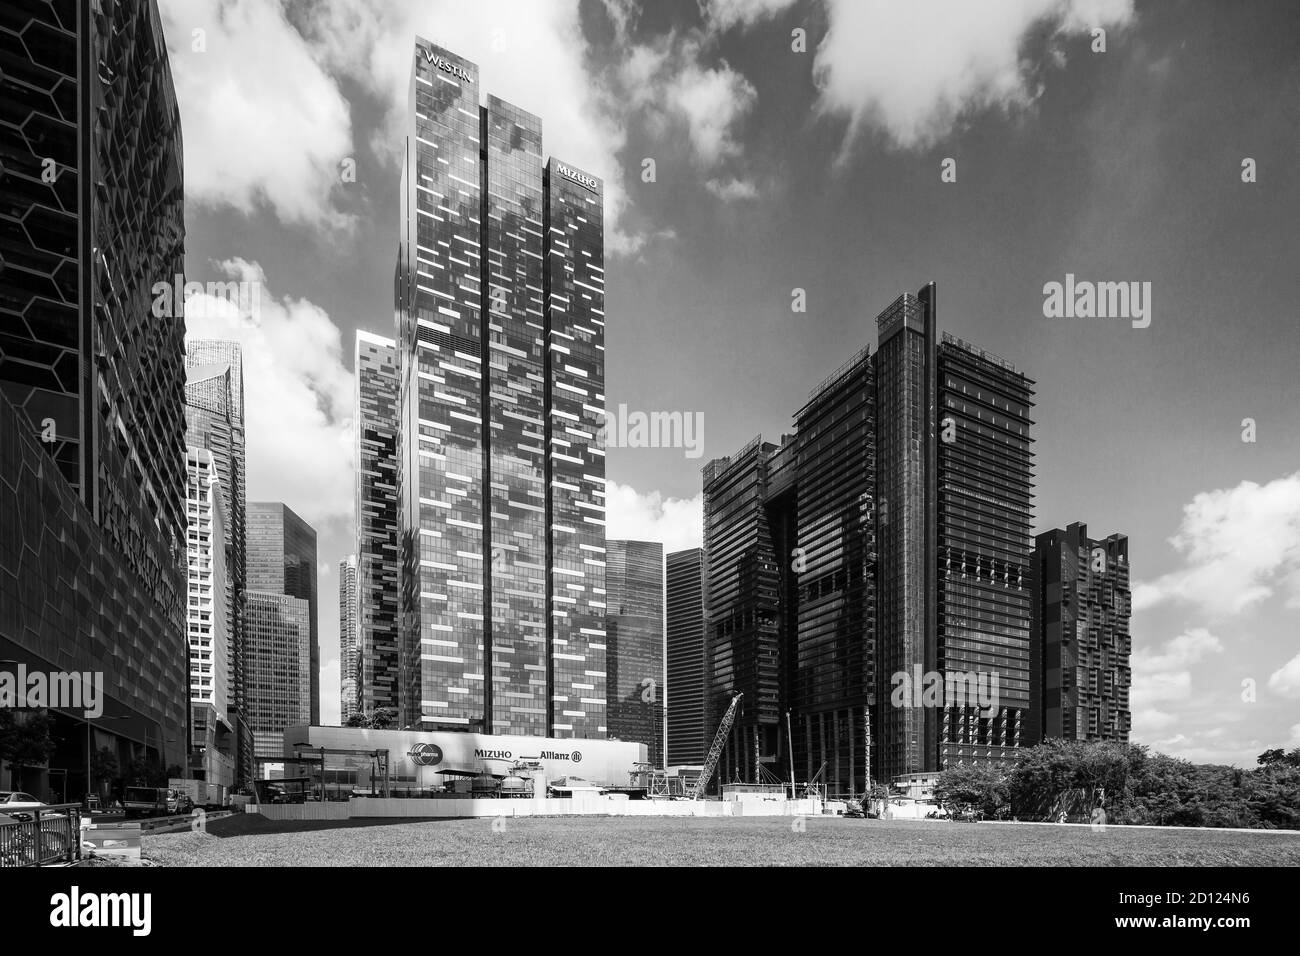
[694, 842]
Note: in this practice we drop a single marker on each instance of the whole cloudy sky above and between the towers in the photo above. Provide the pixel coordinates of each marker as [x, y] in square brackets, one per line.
[761, 155]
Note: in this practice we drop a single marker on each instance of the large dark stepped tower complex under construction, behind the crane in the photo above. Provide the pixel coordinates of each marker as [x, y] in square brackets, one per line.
[889, 537]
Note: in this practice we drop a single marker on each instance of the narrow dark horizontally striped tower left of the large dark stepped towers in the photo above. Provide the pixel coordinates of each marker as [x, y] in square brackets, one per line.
[688, 738]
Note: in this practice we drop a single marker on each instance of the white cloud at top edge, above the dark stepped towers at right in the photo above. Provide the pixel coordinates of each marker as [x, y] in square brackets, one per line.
[915, 71]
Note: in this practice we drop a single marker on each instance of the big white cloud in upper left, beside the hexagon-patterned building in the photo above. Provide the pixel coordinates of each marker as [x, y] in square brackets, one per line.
[265, 127]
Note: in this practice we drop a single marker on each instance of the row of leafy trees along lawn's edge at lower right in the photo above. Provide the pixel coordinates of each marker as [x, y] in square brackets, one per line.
[1133, 785]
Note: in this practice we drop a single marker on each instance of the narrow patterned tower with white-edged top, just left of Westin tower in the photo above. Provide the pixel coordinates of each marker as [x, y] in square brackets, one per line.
[379, 565]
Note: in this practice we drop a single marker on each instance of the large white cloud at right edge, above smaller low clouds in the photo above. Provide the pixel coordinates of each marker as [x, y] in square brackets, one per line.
[1240, 546]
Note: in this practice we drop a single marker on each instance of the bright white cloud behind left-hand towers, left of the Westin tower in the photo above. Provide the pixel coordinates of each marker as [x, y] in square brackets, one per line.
[298, 395]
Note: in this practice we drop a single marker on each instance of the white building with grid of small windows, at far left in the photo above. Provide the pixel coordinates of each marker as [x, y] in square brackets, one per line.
[213, 751]
